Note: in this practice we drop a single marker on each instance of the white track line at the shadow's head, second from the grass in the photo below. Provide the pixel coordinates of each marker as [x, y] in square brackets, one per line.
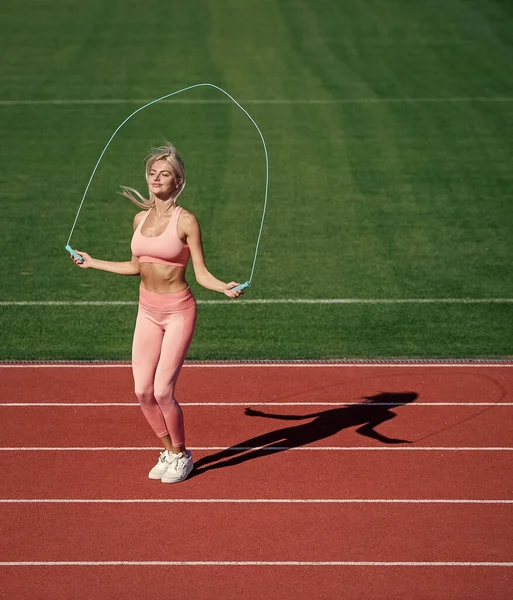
[247, 404]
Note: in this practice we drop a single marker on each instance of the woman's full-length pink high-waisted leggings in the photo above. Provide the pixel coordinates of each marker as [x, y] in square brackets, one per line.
[163, 332]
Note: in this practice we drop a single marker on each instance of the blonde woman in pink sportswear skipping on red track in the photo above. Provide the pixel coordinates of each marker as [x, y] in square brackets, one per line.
[165, 237]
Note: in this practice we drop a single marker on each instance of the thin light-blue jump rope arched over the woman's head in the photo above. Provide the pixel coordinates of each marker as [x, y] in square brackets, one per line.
[242, 286]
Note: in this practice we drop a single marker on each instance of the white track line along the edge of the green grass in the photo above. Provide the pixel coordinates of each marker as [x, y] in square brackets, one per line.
[284, 364]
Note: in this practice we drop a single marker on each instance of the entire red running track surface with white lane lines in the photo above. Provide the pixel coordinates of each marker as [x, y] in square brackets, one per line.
[389, 481]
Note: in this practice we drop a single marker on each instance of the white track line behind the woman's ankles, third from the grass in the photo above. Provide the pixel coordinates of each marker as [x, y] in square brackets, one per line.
[265, 448]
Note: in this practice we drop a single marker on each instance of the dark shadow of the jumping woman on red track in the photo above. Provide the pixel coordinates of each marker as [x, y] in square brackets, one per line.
[367, 415]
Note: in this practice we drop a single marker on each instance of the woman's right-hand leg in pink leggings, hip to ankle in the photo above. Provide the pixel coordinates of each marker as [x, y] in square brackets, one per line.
[179, 330]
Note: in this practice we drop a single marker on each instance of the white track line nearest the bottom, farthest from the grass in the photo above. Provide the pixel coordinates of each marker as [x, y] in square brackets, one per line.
[247, 563]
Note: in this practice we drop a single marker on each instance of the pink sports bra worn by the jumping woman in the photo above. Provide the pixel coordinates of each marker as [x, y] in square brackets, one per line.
[166, 248]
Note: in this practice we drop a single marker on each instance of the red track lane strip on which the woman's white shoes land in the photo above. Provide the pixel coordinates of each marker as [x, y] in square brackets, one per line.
[292, 474]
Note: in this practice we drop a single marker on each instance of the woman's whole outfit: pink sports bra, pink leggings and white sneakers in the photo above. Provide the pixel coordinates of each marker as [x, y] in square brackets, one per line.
[163, 332]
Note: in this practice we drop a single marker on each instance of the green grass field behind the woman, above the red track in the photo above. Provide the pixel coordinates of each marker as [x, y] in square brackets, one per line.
[389, 125]
